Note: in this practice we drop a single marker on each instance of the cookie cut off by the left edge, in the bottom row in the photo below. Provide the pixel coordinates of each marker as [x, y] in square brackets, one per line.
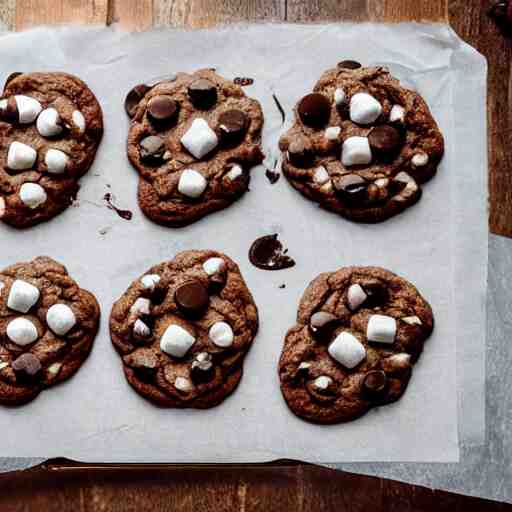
[47, 328]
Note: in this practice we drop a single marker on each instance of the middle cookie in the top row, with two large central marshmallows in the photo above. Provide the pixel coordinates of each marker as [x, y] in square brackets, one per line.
[193, 141]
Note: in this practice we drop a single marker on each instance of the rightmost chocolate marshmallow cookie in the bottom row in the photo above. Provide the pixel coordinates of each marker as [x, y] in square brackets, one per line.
[359, 331]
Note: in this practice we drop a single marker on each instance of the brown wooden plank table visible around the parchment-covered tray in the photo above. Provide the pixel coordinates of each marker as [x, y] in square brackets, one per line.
[287, 486]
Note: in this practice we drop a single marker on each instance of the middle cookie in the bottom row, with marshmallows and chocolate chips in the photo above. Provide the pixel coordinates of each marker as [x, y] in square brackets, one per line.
[183, 330]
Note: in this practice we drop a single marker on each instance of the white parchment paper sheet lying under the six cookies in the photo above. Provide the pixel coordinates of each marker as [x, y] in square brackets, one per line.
[96, 416]
